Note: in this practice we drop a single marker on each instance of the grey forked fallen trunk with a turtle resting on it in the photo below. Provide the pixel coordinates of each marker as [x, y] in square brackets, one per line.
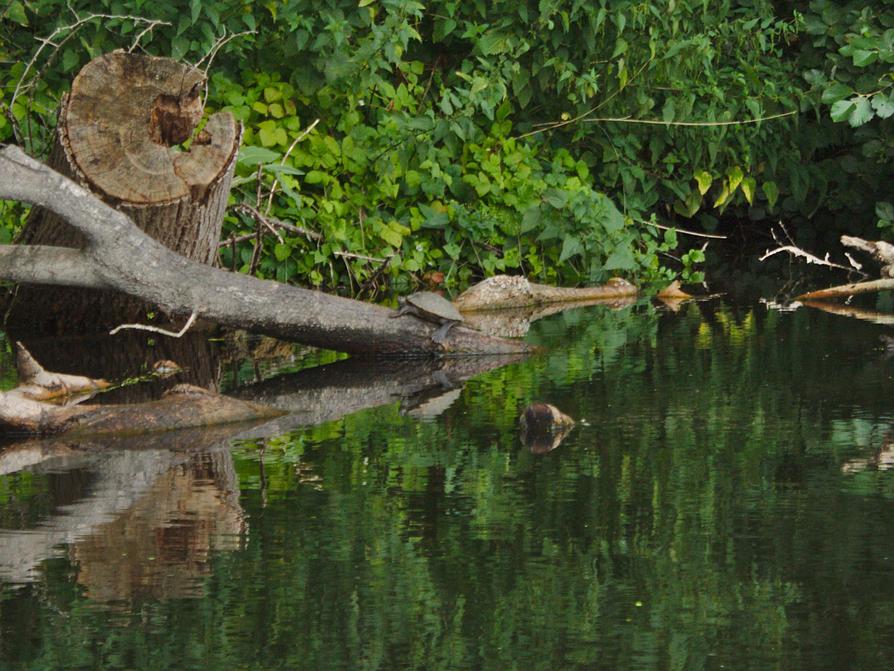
[117, 255]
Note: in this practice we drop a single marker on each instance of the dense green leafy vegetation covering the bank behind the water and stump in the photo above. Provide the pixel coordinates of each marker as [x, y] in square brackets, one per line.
[444, 141]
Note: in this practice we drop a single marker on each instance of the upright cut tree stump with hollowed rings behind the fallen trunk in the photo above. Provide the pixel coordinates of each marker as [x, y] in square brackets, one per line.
[118, 134]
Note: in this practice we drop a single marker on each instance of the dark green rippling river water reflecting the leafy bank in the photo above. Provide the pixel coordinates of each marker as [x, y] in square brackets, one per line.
[723, 502]
